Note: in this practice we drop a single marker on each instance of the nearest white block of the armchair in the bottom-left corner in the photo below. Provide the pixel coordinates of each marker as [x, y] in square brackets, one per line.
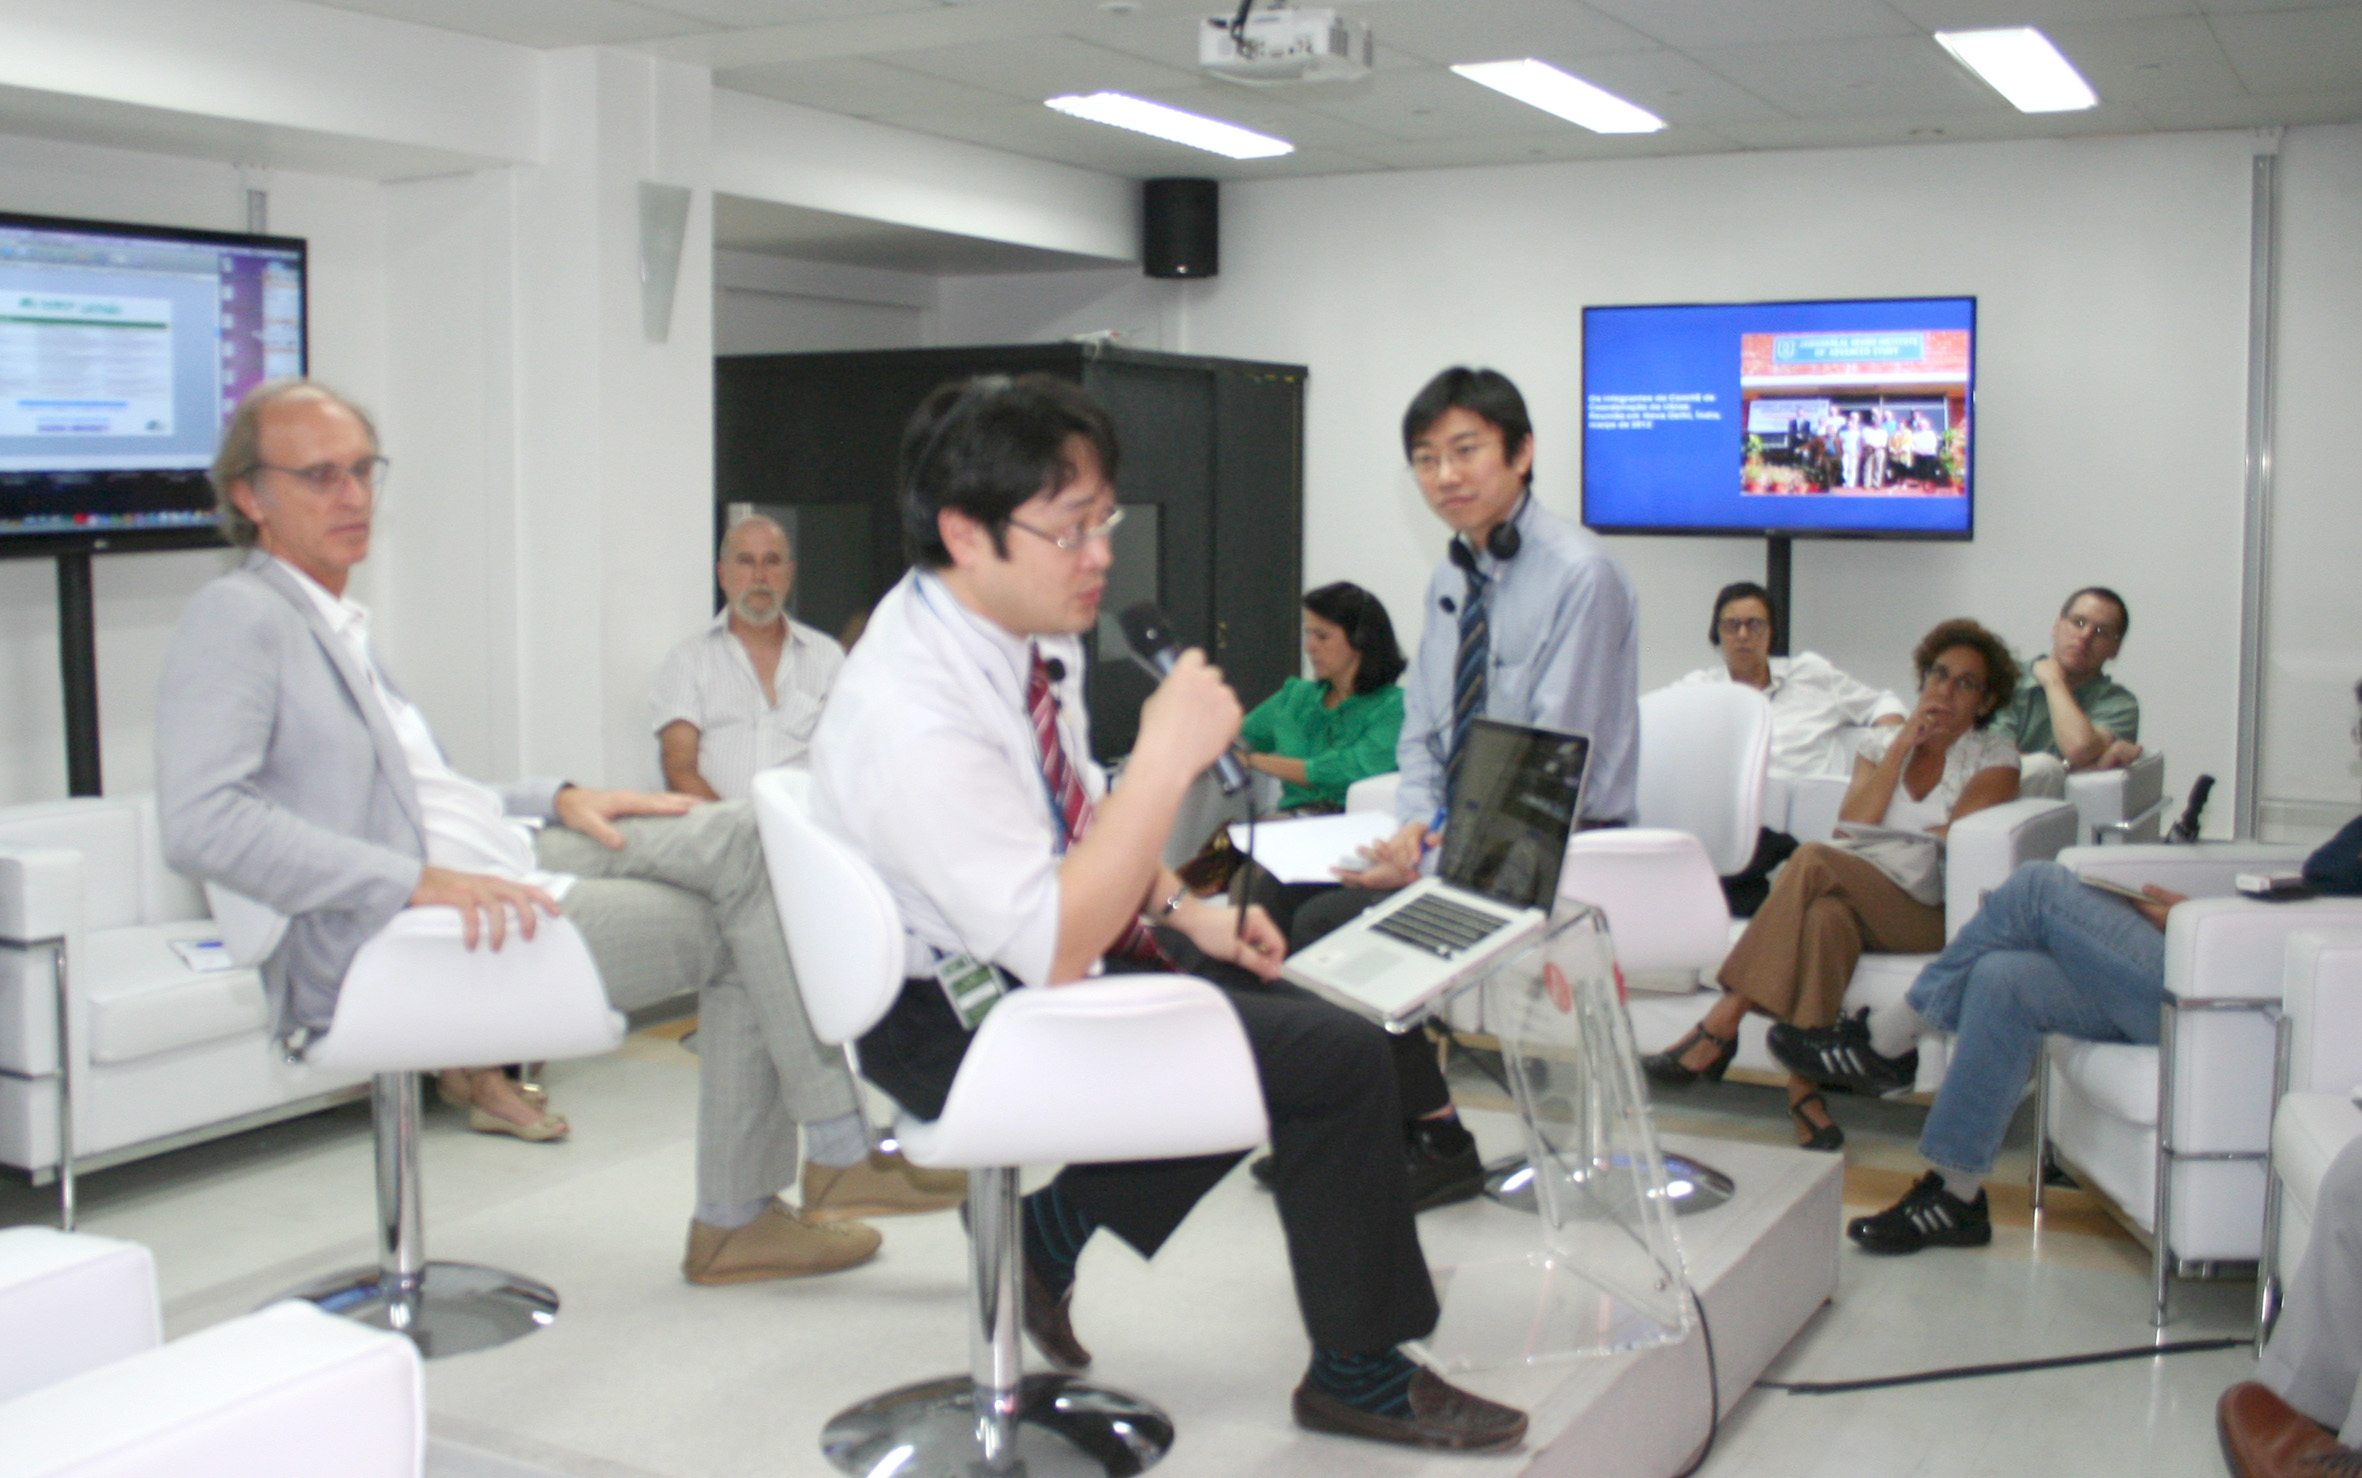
[280, 1394]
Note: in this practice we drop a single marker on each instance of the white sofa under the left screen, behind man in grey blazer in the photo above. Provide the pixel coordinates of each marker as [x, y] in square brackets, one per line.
[162, 1052]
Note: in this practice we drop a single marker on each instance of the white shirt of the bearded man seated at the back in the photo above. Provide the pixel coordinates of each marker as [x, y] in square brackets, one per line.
[712, 684]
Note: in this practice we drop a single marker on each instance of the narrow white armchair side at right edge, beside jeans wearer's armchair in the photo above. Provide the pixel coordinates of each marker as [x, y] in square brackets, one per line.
[2314, 1087]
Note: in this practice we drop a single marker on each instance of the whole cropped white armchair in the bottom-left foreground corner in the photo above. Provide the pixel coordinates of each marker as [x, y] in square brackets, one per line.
[89, 1389]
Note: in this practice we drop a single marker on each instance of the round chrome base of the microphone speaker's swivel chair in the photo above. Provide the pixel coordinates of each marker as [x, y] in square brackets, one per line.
[1066, 1430]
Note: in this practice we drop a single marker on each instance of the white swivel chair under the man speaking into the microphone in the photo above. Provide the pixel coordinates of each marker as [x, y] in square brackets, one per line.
[1128, 1068]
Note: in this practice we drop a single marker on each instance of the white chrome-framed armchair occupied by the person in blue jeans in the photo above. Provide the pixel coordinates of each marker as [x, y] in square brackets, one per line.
[2177, 1134]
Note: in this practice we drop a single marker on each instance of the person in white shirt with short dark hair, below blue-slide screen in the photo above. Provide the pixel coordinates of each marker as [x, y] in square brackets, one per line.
[1813, 705]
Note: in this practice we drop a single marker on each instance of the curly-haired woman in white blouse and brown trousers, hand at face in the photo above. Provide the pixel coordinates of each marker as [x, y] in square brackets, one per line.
[1834, 903]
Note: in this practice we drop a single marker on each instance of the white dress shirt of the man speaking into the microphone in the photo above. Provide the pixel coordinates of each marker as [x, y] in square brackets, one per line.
[927, 764]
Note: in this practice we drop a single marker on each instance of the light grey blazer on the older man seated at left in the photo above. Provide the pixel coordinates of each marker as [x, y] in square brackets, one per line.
[280, 778]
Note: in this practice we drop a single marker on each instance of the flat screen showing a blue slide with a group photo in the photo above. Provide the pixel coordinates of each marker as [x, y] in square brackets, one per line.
[1782, 419]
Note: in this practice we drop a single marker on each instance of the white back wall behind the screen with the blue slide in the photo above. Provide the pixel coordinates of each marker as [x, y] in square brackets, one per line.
[2113, 334]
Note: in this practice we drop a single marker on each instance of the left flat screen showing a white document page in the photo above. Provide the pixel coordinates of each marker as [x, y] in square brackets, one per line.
[122, 355]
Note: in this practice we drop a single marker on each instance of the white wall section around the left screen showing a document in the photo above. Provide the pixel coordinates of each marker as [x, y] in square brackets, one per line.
[141, 596]
